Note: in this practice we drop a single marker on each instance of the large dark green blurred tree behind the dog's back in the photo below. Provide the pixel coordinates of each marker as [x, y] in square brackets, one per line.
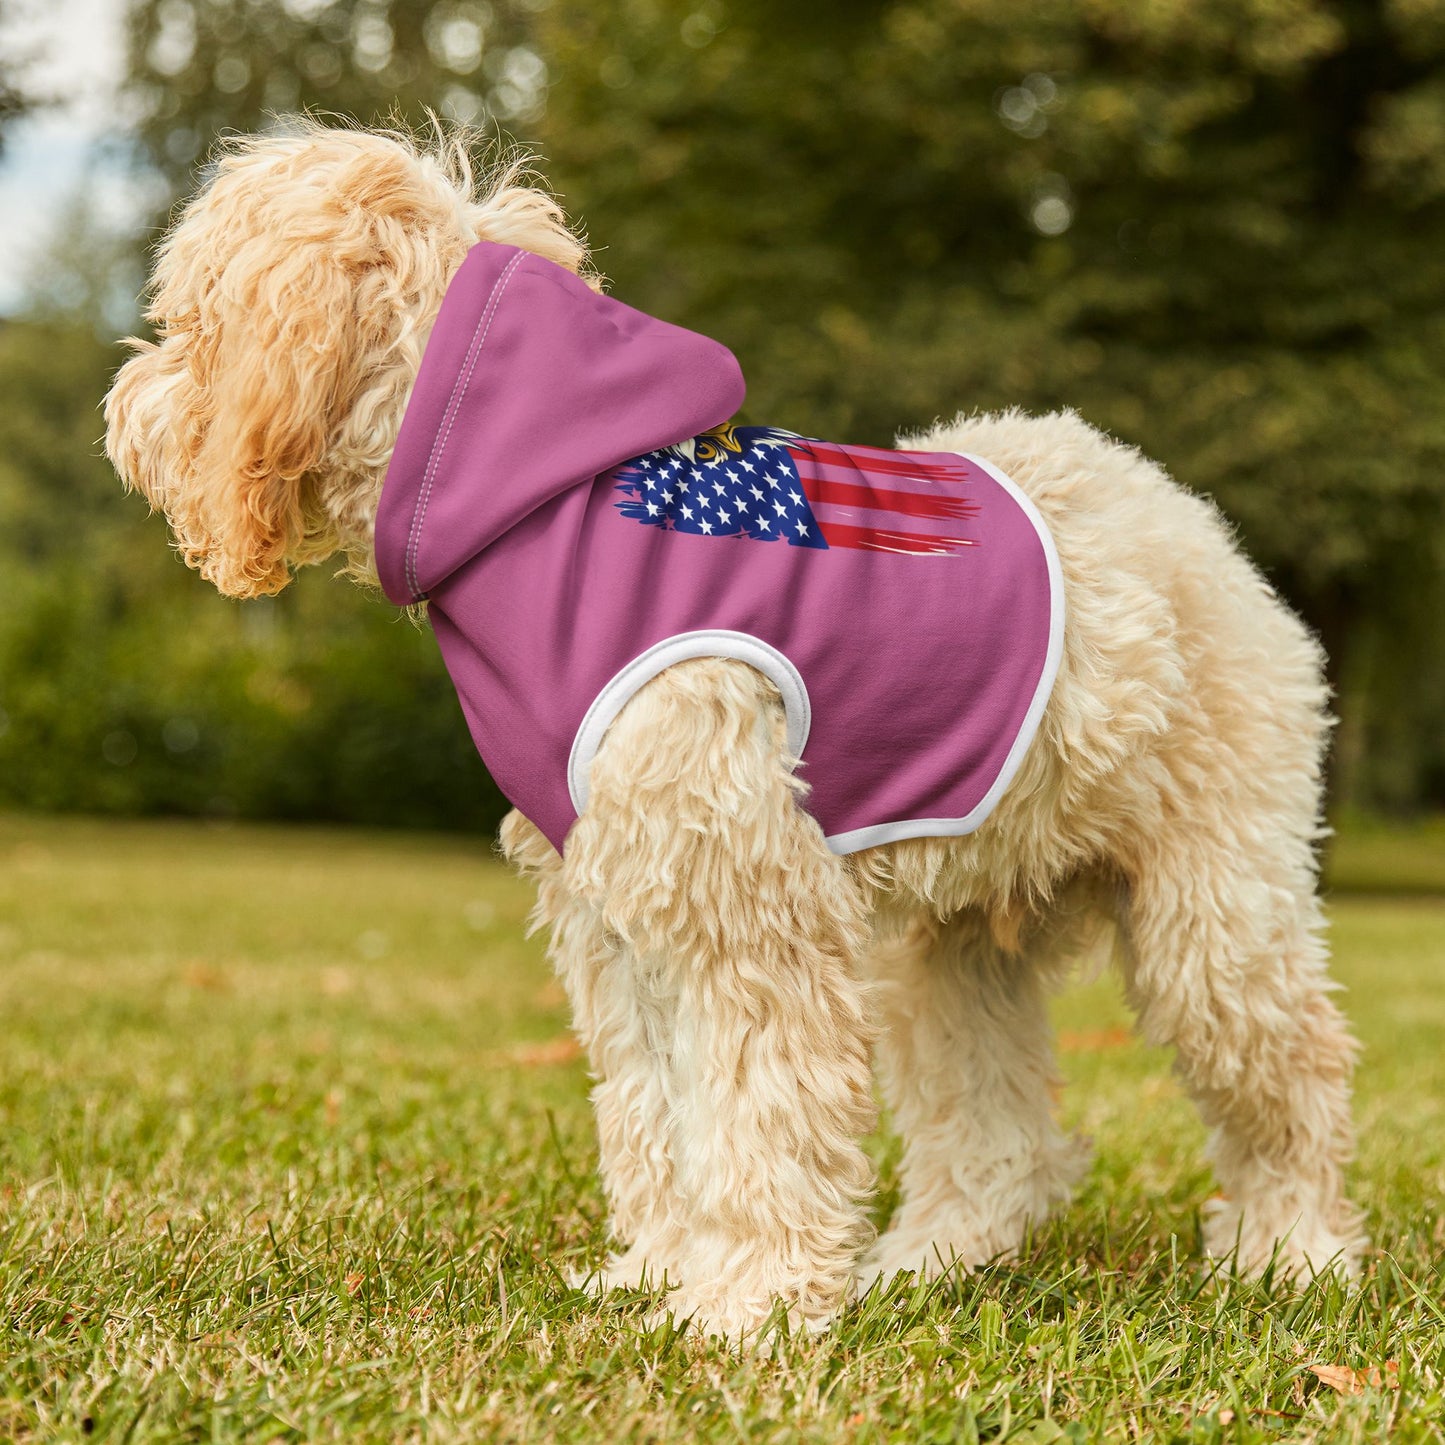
[1217, 230]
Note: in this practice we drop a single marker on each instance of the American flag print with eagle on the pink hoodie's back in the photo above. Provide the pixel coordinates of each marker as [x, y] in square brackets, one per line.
[768, 486]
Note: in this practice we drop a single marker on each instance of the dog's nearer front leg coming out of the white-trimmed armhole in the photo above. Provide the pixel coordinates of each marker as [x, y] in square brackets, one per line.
[739, 933]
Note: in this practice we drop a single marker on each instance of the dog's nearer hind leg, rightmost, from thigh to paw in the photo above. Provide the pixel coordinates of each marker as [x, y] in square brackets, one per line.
[1225, 936]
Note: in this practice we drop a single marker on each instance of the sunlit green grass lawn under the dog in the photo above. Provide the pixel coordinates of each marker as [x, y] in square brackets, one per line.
[284, 1155]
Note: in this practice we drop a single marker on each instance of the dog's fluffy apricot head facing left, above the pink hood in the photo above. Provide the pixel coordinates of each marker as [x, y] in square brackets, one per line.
[293, 301]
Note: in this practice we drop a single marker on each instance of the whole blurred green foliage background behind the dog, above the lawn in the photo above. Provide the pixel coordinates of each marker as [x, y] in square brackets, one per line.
[1216, 229]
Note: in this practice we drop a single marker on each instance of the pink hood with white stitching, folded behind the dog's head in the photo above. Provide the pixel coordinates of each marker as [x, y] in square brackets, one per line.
[531, 385]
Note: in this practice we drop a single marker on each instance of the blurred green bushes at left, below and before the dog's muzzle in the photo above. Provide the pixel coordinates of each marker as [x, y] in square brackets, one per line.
[128, 686]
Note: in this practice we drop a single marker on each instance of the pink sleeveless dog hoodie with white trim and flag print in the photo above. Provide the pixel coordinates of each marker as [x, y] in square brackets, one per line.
[567, 496]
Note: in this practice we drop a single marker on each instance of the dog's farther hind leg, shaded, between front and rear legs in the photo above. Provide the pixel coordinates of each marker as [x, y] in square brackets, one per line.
[967, 1066]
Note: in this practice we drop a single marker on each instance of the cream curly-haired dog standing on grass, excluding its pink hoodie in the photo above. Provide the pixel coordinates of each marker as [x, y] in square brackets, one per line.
[730, 975]
